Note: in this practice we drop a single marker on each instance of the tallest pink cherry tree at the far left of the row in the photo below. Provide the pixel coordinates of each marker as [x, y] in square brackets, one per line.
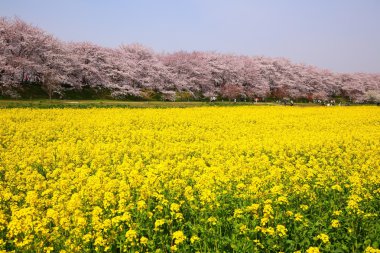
[31, 55]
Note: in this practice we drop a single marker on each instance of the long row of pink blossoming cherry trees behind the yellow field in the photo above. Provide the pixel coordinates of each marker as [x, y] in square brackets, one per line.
[31, 57]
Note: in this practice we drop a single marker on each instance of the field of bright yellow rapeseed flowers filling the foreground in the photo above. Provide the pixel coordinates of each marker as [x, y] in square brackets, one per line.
[242, 179]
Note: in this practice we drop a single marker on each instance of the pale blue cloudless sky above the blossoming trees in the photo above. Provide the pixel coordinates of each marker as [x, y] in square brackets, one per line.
[341, 35]
